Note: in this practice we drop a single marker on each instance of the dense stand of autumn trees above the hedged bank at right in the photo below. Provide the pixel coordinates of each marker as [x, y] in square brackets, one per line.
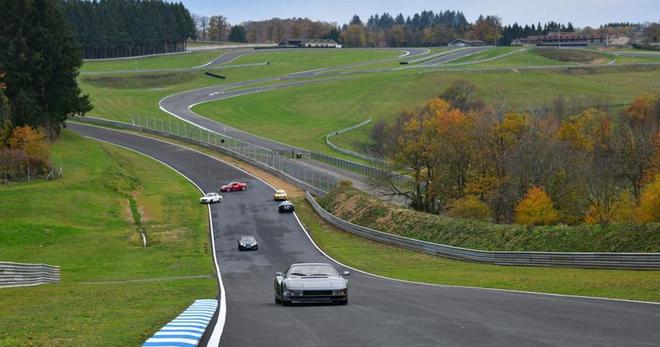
[563, 164]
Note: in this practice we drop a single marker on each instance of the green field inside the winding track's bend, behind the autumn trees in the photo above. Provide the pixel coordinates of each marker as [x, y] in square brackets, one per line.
[301, 116]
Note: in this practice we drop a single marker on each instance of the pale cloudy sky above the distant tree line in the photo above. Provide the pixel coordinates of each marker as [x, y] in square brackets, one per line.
[580, 12]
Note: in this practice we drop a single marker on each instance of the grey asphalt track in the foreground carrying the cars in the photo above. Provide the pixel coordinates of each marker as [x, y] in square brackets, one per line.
[381, 312]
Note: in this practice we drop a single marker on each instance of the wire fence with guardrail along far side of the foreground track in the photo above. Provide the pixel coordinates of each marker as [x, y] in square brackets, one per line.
[291, 170]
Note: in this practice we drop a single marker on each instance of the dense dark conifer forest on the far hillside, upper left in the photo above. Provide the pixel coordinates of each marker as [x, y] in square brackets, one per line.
[120, 28]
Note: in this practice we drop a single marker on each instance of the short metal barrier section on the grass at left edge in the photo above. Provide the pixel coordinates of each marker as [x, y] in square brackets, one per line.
[21, 275]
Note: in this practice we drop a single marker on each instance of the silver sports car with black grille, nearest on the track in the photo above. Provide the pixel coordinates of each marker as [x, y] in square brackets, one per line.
[311, 282]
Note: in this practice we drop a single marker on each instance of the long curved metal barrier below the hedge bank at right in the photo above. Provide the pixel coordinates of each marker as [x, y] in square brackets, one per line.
[647, 261]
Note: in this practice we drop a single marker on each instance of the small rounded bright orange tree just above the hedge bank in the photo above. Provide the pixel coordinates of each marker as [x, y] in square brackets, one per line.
[536, 208]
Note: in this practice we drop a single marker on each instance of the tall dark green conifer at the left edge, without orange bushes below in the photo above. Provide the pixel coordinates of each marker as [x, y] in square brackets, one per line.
[41, 61]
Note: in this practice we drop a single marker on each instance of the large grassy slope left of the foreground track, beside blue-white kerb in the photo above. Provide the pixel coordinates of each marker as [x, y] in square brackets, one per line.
[83, 223]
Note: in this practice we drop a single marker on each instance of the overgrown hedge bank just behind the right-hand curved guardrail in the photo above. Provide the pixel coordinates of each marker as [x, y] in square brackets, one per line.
[362, 209]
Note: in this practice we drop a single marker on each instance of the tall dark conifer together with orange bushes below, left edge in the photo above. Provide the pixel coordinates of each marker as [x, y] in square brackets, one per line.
[39, 62]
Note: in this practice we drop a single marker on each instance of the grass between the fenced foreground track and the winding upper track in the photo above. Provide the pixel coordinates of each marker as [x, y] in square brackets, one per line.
[125, 96]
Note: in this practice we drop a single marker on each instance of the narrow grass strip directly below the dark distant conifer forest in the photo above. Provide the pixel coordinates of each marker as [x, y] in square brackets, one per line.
[174, 61]
